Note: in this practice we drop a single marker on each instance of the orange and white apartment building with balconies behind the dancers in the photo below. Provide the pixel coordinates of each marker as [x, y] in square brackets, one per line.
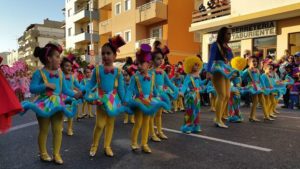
[138, 21]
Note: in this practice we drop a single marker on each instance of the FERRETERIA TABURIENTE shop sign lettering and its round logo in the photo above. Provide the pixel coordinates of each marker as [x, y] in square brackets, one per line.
[250, 31]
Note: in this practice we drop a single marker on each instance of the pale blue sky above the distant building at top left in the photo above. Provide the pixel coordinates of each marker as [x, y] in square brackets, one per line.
[16, 15]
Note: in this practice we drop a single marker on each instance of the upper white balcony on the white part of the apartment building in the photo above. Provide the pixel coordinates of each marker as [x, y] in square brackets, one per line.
[84, 15]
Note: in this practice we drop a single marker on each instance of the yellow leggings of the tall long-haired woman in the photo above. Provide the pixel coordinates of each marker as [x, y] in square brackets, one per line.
[222, 86]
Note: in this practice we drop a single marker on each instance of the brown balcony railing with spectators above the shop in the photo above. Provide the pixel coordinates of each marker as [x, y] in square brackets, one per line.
[211, 14]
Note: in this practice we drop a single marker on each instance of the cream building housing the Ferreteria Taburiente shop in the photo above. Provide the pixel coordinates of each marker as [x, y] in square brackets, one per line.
[269, 27]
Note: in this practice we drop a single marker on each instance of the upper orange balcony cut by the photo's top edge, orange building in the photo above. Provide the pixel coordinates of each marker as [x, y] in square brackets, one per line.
[152, 12]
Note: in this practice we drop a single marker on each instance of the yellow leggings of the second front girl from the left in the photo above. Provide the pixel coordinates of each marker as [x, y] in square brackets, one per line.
[103, 121]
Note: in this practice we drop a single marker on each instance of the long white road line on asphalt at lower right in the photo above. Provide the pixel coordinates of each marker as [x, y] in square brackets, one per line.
[221, 140]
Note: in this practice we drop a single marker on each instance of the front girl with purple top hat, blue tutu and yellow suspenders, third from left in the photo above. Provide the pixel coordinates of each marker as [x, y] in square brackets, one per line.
[147, 100]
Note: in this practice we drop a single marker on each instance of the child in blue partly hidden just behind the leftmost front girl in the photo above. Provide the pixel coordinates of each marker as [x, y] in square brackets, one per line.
[71, 83]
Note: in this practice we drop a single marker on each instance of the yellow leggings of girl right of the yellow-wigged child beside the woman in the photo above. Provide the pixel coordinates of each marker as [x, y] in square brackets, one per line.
[259, 98]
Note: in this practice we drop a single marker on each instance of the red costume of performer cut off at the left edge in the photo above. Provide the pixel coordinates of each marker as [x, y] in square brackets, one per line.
[9, 102]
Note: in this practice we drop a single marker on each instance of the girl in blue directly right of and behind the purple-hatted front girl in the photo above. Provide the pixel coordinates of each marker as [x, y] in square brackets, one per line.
[164, 86]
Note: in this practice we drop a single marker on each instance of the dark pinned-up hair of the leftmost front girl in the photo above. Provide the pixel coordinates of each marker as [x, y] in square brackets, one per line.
[47, 51]
